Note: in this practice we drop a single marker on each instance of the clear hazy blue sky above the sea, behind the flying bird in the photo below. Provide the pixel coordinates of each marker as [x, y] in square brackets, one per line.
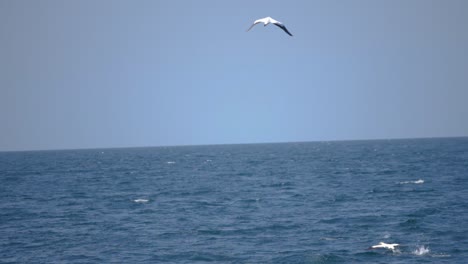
[91, 74]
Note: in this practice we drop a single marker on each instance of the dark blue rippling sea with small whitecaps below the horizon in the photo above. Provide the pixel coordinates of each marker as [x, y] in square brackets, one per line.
[323, 202]
